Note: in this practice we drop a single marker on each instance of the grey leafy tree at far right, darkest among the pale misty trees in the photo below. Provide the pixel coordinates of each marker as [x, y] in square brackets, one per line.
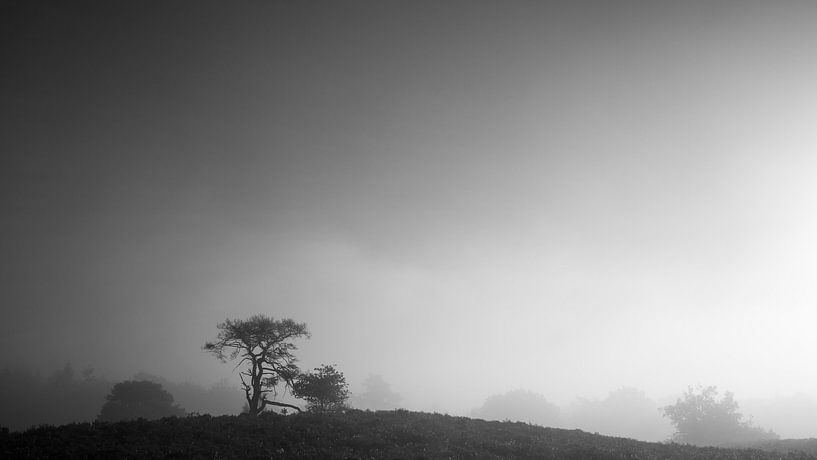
[701, 418]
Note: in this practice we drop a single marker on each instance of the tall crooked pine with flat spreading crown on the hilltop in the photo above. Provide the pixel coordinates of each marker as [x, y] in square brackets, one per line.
[264, 348]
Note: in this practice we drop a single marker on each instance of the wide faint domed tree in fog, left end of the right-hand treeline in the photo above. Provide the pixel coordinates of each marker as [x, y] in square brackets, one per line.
[519, 405]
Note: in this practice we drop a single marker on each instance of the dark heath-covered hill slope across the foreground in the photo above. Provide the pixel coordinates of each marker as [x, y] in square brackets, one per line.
[354, 435]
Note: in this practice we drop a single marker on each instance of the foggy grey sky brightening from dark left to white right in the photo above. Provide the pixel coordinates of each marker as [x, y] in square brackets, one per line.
[463, 197]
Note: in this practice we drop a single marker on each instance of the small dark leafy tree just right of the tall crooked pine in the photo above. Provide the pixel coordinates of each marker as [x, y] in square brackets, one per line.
[325, 389]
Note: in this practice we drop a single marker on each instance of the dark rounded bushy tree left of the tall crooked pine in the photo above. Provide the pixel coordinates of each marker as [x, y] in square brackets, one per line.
[134, 399]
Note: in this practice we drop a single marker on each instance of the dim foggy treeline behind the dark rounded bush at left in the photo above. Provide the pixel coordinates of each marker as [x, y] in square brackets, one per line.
[66, 395]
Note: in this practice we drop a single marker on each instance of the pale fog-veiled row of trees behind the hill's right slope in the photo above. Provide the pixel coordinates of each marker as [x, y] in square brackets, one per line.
[703, 416]
